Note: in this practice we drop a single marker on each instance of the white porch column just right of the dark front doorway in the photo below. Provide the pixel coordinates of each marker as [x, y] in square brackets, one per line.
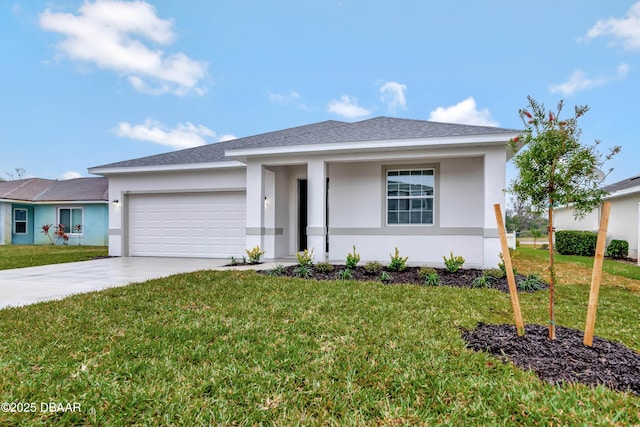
[316, 208]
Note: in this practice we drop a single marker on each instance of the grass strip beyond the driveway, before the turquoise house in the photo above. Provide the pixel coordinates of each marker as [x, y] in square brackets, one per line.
[18, 256]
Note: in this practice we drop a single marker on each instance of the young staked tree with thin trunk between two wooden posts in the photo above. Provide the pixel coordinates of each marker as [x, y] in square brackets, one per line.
[555, 169]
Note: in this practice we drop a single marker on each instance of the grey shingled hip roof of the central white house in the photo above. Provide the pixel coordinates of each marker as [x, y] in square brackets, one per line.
[327, 132]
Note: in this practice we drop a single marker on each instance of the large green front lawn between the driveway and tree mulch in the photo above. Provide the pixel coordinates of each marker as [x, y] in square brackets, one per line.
[237, 348]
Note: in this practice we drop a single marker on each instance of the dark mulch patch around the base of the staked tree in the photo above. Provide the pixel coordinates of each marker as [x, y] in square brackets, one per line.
[563, 360]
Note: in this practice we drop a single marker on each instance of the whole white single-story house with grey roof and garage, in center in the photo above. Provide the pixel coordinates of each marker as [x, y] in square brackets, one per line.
[426, 187]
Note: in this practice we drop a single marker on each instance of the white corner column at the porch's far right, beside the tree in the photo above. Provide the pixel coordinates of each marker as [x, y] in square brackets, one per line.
[495, 177]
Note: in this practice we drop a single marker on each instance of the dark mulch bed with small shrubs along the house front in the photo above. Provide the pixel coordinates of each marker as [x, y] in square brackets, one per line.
[460, 279]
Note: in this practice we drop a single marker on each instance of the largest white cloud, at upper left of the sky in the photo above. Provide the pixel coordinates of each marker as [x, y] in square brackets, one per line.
[108, 33]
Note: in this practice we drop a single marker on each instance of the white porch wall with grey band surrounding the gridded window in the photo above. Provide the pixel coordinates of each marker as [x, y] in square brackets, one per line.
[357, 213]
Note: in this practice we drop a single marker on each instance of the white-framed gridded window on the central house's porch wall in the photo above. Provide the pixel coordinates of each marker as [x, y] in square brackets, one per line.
[410, 196]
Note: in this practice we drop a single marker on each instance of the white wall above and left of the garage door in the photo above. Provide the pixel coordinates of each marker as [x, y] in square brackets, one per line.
[120, 185]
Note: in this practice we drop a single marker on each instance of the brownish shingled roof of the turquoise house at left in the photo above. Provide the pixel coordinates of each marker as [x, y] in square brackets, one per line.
[47, 190]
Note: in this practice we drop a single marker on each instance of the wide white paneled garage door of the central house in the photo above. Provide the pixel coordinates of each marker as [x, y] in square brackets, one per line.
[207, 225]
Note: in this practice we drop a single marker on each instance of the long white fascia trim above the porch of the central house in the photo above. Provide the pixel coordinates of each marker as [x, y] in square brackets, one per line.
[381, 145]
